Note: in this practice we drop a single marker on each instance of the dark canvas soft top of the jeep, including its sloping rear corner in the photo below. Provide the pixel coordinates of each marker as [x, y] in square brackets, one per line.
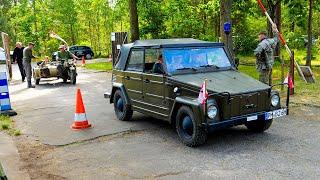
[161, 43]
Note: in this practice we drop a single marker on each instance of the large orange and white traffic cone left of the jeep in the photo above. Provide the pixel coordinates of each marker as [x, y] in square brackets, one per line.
[80, 117]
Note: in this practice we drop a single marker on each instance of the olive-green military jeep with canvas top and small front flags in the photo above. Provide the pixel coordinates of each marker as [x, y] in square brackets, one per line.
[163, 78]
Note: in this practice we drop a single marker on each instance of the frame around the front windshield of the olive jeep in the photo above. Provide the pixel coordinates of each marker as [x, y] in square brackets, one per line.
[202, 69]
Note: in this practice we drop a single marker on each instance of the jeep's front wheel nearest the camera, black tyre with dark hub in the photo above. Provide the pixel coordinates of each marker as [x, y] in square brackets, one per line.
[190, 133]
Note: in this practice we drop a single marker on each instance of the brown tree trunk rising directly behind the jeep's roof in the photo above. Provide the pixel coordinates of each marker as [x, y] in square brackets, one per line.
[134, 23]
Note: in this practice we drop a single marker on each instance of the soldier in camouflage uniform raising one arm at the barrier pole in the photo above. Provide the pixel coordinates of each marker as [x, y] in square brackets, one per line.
[265, 55]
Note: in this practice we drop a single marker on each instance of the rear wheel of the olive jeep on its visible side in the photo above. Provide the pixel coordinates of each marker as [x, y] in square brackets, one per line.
[122, 110]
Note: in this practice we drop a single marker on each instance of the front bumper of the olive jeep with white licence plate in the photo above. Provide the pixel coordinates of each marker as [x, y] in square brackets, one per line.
[239, 120]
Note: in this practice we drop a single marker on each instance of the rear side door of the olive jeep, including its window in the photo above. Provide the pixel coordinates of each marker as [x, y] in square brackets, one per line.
[133, 77]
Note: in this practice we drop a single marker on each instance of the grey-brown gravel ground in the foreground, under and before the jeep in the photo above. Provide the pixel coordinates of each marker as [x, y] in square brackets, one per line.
[288, 150]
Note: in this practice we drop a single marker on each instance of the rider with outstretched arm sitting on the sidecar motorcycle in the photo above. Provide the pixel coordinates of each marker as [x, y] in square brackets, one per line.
[63, 56]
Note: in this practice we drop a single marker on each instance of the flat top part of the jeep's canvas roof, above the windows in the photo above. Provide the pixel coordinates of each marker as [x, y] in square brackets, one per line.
[181, 42]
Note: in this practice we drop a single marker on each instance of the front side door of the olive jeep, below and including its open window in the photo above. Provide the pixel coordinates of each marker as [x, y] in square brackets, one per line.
[153, 86]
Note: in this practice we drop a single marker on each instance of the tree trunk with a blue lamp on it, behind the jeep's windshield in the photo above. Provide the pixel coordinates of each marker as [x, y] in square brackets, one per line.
[225, 16]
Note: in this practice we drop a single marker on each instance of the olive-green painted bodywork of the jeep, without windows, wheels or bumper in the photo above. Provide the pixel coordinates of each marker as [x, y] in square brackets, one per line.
[161, 95]
